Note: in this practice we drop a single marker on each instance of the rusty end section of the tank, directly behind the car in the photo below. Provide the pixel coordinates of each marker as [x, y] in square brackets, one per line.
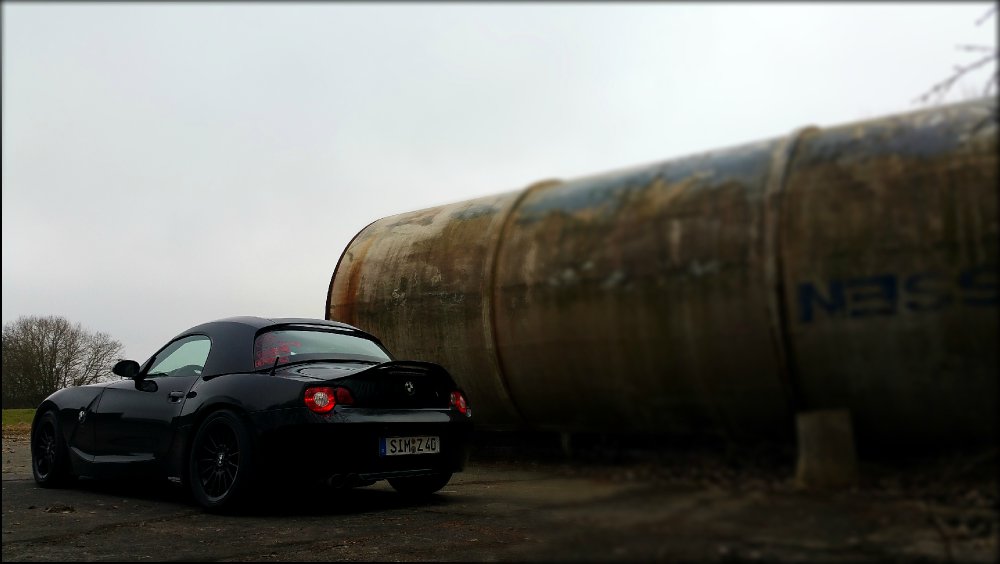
[420, 282]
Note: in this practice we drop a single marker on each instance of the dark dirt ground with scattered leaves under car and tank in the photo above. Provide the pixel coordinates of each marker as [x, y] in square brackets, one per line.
[535, 505]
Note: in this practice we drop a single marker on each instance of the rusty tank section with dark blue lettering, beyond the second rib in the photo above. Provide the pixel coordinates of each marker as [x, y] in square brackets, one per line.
[890, 247]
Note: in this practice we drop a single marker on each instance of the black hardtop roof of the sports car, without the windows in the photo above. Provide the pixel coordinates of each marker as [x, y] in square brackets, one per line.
[232, 339]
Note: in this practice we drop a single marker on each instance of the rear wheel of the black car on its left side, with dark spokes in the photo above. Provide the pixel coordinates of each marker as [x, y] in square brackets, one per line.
[220, 467]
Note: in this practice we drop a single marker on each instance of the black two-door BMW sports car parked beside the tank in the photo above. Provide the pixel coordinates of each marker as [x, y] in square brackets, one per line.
[244, 400]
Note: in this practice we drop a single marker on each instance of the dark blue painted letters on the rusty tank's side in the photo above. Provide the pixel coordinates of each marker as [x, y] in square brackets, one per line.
[889, 294]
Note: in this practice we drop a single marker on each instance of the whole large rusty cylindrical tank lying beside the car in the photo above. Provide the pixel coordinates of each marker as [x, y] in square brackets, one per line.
[846, 267]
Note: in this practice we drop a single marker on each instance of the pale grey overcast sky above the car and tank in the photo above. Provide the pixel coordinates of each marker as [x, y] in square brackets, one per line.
[169, 164]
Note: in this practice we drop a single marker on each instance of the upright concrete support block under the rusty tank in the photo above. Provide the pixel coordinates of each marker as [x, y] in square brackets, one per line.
[827, 457]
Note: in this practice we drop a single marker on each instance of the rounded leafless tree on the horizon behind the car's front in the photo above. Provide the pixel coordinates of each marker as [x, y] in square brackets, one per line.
[44, 354]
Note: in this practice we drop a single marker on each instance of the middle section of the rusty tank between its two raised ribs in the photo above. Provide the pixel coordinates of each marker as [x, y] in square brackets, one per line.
[627, 286]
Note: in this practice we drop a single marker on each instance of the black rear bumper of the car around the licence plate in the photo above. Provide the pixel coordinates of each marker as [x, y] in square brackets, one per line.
[301, 445]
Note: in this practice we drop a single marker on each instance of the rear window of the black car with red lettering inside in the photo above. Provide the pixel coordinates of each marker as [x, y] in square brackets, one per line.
[289, 345]
